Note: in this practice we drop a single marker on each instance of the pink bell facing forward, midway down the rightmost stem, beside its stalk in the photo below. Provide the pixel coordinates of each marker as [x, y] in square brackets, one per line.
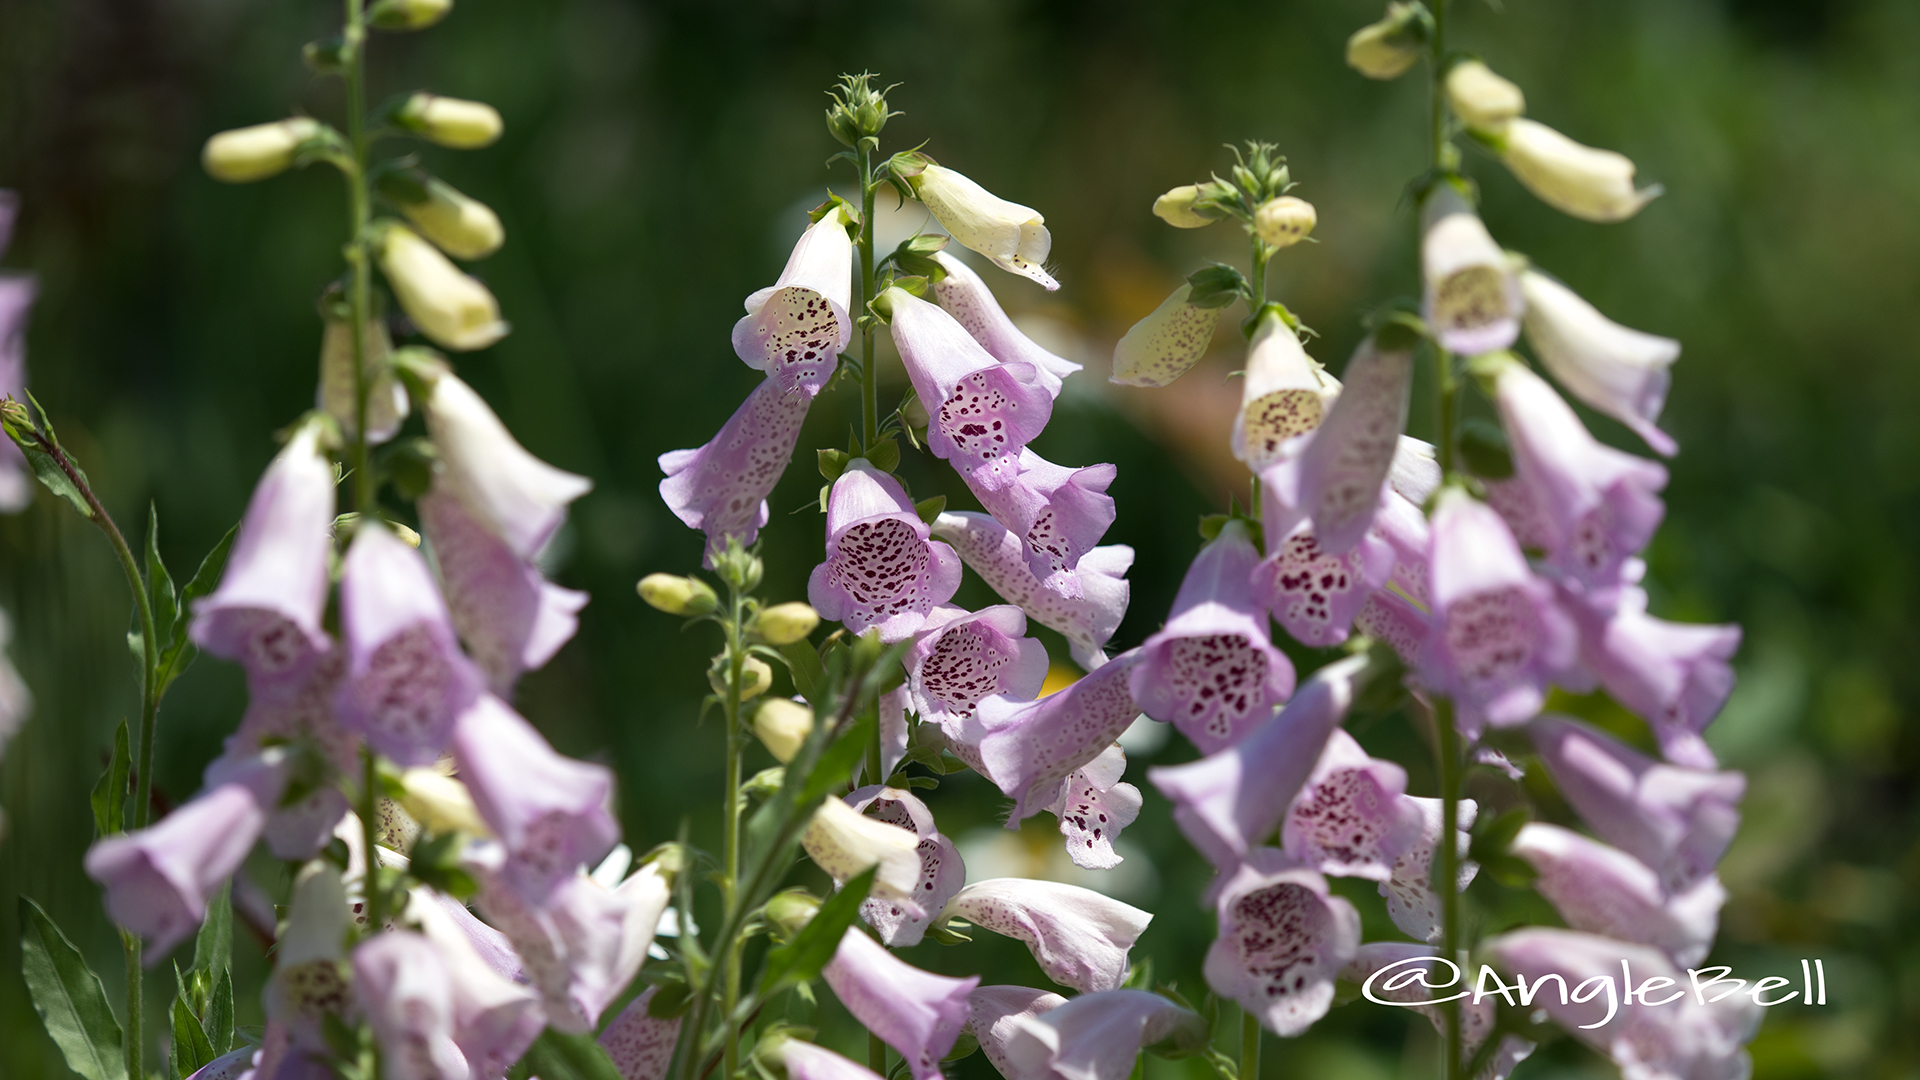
[1499, 637]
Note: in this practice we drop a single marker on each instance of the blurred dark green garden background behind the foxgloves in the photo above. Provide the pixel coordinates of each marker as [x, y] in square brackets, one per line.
[654, 172]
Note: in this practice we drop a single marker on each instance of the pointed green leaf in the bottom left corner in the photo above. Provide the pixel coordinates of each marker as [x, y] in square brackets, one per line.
[70, 998]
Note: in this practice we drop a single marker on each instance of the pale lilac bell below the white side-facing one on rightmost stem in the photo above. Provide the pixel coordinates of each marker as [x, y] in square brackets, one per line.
[1600, 504]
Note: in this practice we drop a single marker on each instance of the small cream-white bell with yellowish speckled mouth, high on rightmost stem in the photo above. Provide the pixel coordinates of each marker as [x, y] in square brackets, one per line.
[1474, 299]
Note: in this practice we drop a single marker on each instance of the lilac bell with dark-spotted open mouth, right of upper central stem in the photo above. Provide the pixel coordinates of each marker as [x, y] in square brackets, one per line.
[980, 412]
